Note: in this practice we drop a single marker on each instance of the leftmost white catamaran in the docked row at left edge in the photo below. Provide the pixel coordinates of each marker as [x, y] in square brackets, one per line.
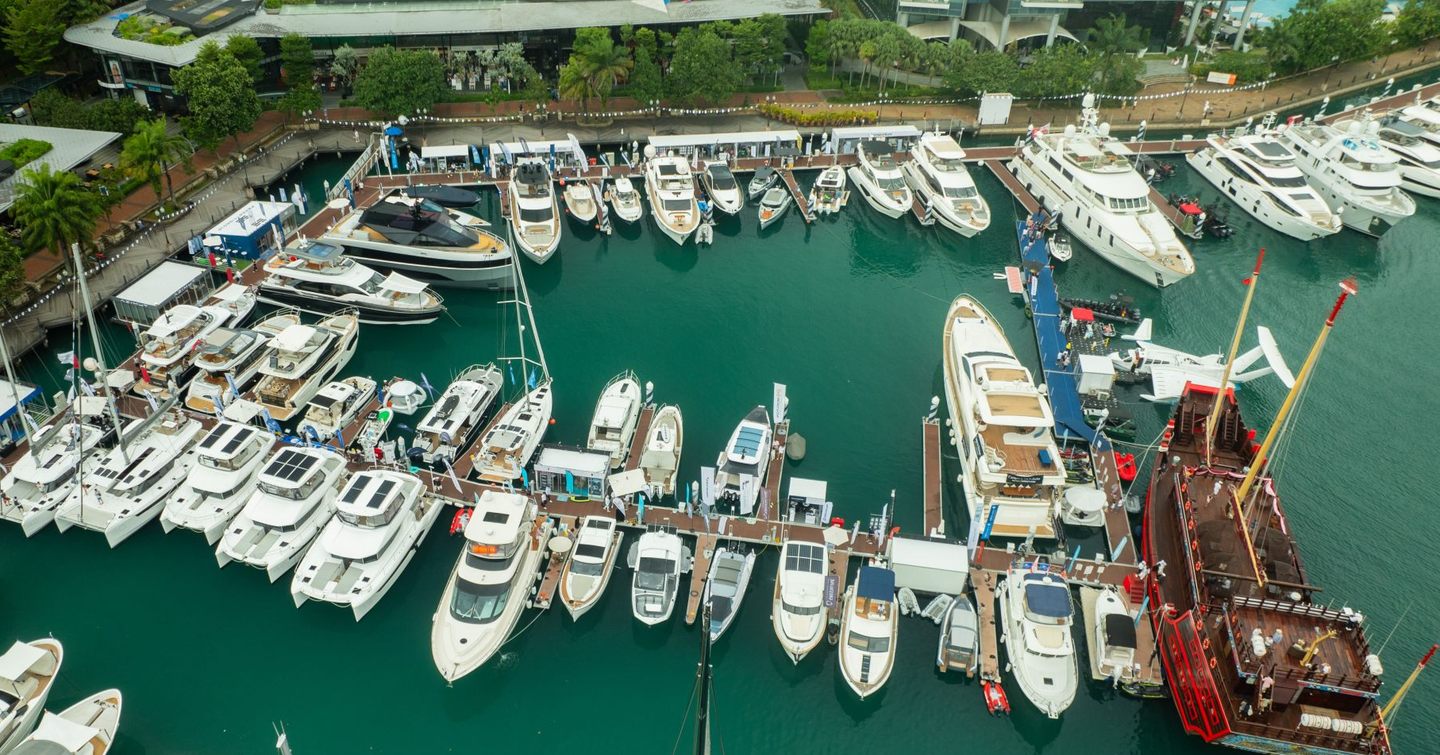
[50, 470]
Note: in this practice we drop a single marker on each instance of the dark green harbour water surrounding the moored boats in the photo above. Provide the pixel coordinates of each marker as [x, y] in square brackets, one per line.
[849, 315]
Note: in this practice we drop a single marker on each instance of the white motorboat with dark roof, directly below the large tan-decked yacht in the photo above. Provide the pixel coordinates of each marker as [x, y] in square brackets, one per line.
[1036, 617]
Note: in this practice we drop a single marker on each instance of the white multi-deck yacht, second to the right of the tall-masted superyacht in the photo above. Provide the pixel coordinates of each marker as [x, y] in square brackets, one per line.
[1354, 172]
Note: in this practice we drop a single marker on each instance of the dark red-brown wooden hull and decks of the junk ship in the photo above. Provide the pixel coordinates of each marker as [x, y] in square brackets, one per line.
[1252, 664]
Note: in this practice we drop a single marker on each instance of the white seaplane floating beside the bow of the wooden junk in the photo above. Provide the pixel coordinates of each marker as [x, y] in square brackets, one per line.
[1170, 370]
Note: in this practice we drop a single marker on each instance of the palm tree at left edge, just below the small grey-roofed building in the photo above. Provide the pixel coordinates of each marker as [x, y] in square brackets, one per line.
[54, 210]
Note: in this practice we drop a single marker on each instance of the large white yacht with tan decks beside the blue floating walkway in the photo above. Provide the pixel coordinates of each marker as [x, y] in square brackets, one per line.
[1002, 427]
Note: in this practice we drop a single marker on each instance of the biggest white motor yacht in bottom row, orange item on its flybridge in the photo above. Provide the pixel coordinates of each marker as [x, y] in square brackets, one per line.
[486, 593]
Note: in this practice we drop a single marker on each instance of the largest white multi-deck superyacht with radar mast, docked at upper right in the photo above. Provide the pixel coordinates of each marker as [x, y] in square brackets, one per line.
[1086, 175]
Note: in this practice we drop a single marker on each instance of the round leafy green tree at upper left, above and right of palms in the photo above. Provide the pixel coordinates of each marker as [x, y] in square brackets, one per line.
[221, 94]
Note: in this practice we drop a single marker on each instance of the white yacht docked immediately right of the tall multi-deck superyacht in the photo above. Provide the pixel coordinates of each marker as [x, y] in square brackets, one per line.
[1258, 172]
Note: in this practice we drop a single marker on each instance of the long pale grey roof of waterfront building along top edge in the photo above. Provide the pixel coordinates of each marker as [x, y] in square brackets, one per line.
[446, 18]
